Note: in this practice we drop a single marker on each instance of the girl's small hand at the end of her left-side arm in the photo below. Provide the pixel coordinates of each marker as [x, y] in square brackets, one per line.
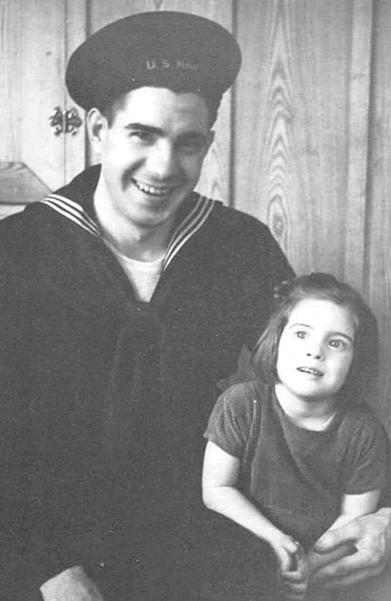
[294, 579]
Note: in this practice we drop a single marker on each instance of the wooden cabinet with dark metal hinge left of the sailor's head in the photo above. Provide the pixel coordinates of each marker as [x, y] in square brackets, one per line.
[38, 37]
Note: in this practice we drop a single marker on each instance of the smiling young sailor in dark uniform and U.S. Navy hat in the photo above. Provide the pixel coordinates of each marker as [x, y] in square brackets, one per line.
[125, 298]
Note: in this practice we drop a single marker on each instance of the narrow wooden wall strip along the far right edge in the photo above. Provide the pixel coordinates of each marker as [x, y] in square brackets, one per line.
[378, 246]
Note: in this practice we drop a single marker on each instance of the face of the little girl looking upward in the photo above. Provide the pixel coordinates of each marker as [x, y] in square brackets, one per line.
[316, 349]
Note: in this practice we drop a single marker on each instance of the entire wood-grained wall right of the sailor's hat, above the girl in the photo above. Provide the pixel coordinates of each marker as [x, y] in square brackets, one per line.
[313, 151]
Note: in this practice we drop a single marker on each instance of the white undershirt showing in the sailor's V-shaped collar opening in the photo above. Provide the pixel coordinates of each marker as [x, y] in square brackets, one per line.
[143, 275]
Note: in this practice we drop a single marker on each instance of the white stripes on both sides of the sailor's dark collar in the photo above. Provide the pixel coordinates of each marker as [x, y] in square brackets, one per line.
[193, 221]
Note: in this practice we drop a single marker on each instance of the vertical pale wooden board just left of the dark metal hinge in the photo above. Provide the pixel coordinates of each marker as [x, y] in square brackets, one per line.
[43, 65]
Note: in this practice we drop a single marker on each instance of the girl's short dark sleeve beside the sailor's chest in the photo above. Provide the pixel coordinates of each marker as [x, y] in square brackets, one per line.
[230, 421]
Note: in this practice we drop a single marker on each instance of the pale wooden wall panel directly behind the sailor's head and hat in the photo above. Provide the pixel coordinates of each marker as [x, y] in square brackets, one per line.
[215, 178]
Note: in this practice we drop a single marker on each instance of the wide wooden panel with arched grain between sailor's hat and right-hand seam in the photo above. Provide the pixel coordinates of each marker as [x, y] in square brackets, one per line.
[291, 125]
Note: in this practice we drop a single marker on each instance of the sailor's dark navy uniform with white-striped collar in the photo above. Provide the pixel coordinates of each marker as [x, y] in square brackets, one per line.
[104, 398]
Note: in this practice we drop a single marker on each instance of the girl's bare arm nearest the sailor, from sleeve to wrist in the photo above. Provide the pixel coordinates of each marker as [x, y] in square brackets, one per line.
[219, 481]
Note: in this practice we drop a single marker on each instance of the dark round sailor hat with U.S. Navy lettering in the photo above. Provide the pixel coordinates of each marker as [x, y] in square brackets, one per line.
[176, 50]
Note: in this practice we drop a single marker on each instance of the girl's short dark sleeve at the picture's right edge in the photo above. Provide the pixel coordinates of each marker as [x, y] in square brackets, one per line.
[370, 463]
